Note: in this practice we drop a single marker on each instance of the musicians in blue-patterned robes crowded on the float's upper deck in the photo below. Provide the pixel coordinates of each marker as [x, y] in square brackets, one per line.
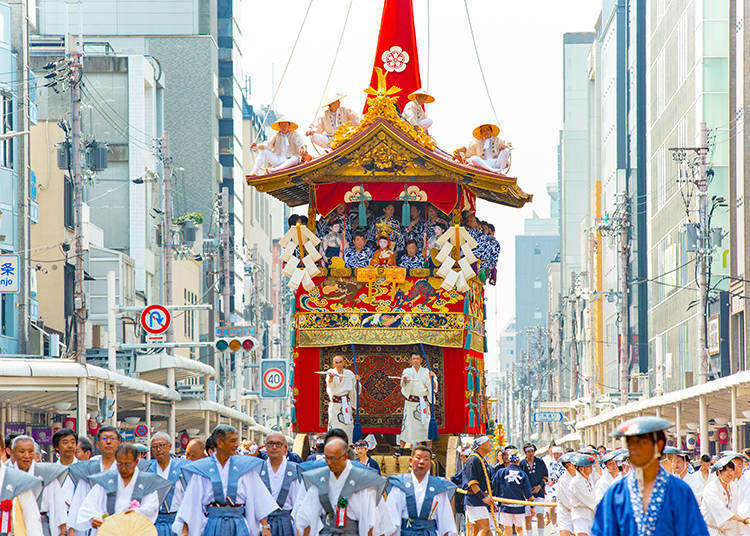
[383, 240]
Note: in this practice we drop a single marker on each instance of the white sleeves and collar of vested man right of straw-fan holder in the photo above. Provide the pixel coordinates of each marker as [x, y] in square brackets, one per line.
[250, 491]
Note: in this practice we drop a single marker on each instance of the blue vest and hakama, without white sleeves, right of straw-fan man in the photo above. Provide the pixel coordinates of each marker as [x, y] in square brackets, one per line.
[224, 518]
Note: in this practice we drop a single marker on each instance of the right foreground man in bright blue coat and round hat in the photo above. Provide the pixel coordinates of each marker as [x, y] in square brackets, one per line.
[648, 500]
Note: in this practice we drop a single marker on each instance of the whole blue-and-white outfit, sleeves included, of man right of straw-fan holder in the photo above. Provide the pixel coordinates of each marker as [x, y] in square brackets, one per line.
[224, 501]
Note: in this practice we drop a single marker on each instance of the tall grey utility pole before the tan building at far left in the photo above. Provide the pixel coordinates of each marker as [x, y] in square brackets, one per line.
[76, 150]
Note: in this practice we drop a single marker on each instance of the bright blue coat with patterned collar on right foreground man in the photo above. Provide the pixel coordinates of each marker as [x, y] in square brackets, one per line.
[672, 509]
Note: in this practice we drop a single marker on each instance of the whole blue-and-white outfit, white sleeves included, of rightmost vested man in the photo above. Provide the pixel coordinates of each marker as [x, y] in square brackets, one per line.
[421, 508]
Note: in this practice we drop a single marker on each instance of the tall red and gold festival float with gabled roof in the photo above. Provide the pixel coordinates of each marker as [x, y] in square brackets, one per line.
[376, 315]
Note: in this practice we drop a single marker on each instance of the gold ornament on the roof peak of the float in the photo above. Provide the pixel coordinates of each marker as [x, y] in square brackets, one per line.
[382, 105]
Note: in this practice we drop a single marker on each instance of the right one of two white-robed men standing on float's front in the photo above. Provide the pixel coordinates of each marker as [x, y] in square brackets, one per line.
[418, 385]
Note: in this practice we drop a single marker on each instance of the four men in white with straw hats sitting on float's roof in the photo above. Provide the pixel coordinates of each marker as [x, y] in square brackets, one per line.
[287, 148]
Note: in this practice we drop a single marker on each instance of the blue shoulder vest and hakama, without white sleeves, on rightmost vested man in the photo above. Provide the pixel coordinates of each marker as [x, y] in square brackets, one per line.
[419, 523]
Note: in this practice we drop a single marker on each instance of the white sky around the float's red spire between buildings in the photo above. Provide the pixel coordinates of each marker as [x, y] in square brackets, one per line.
[520, 44]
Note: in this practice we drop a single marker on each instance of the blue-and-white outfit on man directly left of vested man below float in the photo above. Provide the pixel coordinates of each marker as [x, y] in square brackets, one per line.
[285, 486]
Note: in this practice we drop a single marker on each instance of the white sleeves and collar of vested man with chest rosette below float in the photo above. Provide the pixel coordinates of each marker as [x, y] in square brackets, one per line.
[362, 506]
